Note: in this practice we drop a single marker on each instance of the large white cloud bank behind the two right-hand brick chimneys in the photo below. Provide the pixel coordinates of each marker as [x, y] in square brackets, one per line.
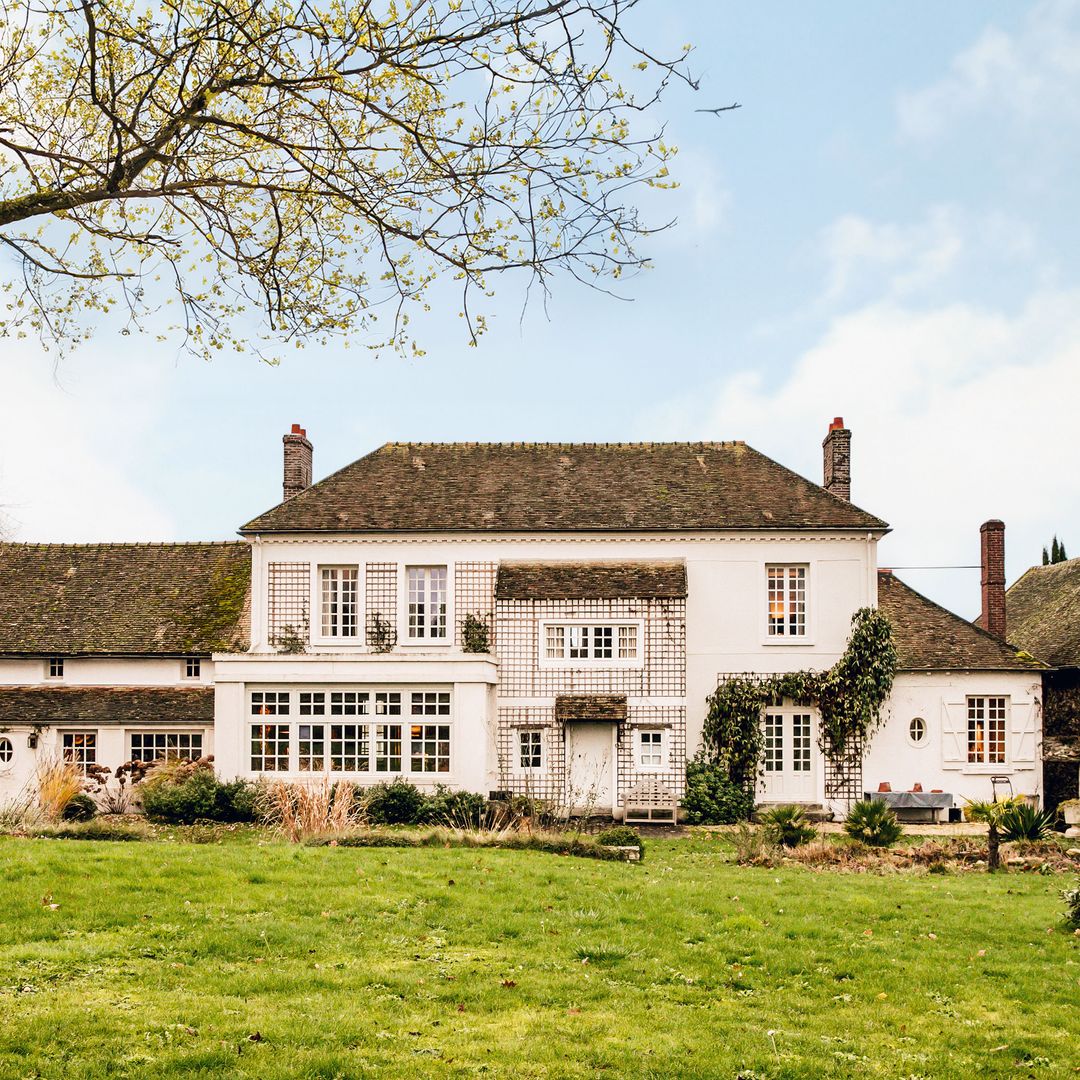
[960, 414]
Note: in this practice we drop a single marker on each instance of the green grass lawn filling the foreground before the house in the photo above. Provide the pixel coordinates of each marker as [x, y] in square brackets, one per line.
[268, 961]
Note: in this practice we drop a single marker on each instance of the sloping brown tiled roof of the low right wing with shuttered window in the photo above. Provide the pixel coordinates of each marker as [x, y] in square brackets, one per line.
[929, 638]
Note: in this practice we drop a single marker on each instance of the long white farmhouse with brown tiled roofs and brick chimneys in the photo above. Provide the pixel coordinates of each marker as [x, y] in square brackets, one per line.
[544, 619]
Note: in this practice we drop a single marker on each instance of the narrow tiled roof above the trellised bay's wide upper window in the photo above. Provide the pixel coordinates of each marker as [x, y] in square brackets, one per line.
[587, 582]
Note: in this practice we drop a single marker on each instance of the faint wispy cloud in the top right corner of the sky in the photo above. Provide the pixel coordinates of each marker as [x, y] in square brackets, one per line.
[1033, 73]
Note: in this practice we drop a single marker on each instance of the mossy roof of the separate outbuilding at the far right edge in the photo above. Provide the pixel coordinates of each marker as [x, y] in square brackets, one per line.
[1043, 613]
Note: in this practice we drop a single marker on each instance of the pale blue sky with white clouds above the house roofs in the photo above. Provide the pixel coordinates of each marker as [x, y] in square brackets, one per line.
[887, 231]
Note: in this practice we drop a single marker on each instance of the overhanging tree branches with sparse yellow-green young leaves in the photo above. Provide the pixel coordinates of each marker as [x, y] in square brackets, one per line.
[287, 171]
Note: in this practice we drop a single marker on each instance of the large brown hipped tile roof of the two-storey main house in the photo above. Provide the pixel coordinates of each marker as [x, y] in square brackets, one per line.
[555, 488]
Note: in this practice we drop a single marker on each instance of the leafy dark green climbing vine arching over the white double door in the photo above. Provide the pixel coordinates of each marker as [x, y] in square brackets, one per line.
[849, 698]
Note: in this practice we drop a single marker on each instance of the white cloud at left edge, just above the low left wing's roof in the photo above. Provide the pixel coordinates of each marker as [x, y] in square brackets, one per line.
[69, 443]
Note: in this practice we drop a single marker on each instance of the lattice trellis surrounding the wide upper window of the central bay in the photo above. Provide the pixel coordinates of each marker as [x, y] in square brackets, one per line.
[521, 674]
